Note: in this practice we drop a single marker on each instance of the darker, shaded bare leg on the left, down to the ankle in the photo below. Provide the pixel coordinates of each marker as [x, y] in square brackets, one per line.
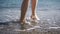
[23, 11]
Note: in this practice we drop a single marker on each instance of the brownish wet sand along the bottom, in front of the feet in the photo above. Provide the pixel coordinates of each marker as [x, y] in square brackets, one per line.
[10, 29]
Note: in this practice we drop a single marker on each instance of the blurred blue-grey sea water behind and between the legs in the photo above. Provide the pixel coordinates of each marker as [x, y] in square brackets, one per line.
[47, 10]
